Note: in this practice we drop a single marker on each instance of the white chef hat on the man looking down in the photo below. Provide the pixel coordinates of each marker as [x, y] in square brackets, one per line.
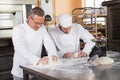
[65, 20]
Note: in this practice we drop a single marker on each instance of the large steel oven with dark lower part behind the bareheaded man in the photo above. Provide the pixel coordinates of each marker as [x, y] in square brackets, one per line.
[12, 13]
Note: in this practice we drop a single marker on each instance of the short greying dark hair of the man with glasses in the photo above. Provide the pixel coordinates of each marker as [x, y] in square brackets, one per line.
[37, 11]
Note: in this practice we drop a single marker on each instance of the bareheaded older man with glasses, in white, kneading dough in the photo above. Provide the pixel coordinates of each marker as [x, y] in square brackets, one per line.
[28, 39]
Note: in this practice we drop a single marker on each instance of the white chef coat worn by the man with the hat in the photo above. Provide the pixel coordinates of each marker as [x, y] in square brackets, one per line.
[71, 42]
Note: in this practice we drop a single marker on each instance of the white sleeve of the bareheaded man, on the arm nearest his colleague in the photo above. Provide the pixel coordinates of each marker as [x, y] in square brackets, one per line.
[49, 44]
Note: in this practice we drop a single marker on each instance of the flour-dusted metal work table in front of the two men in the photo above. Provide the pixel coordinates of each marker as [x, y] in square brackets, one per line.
[83, 71]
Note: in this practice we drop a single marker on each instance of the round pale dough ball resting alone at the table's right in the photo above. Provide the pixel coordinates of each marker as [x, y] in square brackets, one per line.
[105, 61]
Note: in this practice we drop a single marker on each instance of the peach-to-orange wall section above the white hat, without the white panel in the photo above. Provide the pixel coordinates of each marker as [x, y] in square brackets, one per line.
[66, 6]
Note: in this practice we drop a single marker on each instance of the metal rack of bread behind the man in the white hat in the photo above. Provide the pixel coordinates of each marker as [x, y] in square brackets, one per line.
[94, 20]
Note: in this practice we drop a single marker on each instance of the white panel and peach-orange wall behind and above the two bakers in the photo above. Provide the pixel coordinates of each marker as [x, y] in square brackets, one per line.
[56, 7]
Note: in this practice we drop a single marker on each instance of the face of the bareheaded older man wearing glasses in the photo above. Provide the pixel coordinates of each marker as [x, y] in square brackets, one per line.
[35, 22]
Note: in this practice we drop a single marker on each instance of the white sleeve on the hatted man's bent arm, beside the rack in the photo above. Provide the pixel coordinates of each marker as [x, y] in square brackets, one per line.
[87, 37]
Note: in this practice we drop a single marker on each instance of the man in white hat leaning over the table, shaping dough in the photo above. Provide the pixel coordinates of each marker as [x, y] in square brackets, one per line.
[67, 35]
